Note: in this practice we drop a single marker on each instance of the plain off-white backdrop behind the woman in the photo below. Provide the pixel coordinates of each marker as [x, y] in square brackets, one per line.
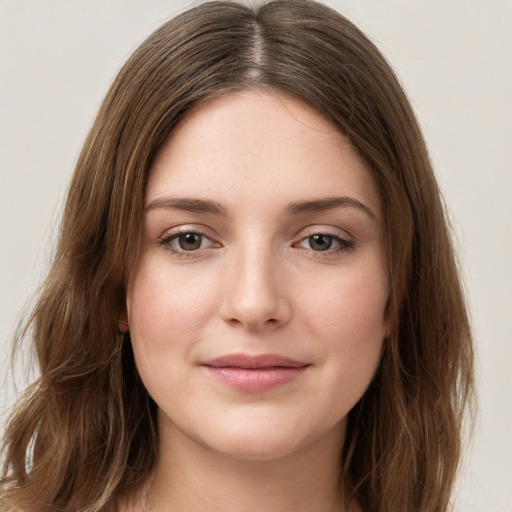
[454, 58]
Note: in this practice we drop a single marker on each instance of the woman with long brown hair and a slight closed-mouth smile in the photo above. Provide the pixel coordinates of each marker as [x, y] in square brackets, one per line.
[254, 303]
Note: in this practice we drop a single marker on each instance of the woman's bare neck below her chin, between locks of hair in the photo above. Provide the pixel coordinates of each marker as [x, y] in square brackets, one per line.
[191, 477]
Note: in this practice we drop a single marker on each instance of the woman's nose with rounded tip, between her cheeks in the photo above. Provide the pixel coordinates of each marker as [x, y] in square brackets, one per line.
[254, 295]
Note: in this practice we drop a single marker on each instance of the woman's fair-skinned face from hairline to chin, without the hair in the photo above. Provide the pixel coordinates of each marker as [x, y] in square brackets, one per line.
[256, 311]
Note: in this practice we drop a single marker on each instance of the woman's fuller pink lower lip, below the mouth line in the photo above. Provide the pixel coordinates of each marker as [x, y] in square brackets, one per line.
[255, 380]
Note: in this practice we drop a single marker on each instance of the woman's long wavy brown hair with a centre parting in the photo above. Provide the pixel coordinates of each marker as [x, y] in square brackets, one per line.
[86, 429]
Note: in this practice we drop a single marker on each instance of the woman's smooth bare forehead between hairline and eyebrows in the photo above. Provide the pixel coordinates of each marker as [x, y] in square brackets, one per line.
[252, 145]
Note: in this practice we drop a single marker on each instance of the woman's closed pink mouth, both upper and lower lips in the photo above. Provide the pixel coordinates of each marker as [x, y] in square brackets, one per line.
[254, 374]
